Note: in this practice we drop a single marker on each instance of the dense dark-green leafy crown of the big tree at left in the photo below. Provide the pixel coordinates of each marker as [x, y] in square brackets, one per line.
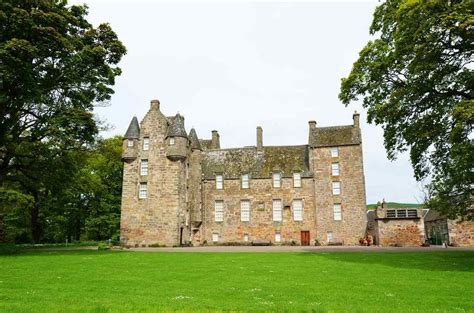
[54, 68]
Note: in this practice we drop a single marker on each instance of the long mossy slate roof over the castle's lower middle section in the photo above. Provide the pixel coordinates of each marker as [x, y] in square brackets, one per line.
[232, 163]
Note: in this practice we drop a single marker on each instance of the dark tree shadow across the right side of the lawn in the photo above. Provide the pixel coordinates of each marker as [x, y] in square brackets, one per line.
[452, 261]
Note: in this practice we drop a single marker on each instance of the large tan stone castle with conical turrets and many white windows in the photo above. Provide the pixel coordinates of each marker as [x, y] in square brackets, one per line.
[179, 189]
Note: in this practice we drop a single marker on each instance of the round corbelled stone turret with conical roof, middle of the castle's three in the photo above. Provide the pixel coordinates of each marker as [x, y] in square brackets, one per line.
[176, 139]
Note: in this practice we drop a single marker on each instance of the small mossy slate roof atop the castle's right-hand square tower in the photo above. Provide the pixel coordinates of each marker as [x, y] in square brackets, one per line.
[334, 136]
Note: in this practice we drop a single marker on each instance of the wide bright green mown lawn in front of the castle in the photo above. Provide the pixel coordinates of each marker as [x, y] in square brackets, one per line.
[103, 281]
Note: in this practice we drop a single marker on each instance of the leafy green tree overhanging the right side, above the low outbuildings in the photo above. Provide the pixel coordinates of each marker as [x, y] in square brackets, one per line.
[416, 80]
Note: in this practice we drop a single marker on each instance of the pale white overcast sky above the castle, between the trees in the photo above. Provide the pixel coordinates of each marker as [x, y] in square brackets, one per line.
[235, 65]
